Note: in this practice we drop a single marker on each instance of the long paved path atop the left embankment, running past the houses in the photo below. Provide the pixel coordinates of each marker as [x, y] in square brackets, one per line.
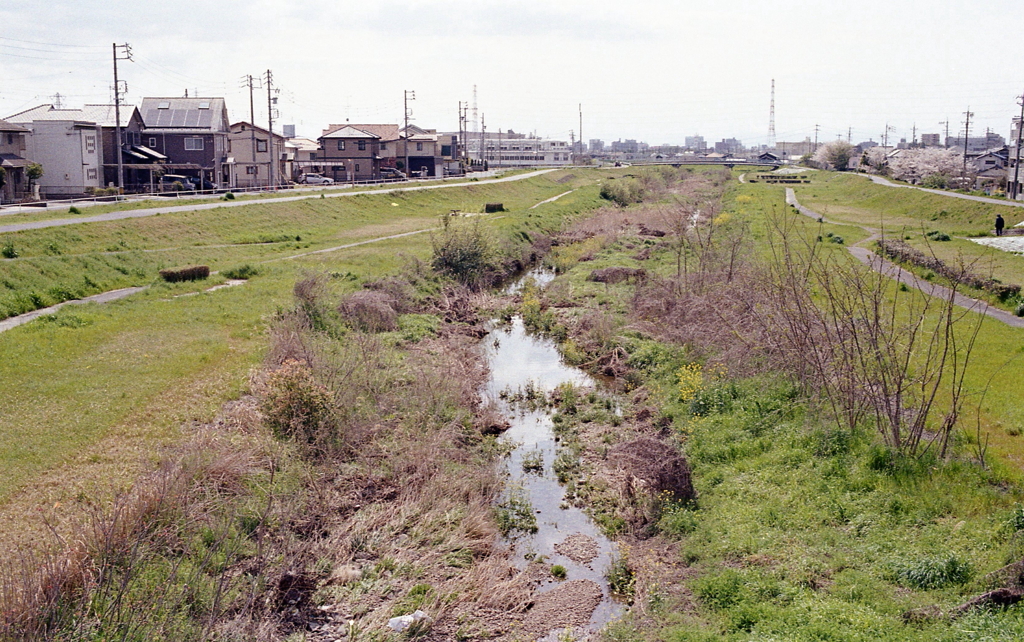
[113, 217]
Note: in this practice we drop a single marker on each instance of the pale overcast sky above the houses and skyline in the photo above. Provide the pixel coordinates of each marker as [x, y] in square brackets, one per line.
[655, 71]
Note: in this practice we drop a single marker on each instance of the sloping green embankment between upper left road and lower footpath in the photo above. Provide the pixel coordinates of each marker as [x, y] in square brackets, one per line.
[57, 265]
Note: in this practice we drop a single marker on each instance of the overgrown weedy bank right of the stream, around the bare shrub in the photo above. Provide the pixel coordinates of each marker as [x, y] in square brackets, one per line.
[802, 529]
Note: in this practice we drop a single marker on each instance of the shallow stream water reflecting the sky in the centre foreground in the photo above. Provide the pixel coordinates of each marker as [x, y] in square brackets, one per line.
[519, 361]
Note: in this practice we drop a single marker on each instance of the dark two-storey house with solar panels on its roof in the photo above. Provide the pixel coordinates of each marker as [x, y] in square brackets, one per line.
[192, 134]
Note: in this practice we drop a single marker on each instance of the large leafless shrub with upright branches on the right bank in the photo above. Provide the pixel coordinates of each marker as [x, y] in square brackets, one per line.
[867, 348]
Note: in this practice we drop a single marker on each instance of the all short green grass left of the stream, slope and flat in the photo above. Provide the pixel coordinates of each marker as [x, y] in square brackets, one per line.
[98, 387]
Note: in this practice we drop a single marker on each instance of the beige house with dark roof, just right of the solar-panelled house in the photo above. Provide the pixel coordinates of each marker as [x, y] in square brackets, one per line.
[249, 157]
